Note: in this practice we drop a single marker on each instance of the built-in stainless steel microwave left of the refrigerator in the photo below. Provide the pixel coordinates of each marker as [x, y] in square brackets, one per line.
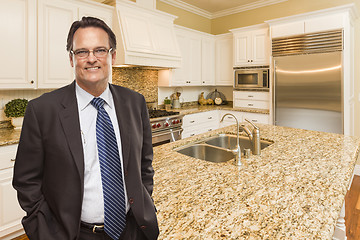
[254, 77]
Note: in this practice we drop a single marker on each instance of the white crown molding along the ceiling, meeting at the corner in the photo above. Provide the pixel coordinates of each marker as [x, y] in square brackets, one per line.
[193, 9]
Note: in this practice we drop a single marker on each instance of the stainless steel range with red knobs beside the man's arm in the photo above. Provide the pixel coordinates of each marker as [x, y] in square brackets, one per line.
[166, 126]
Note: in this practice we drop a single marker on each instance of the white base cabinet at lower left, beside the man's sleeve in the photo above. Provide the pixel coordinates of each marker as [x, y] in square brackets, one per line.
[10, 211]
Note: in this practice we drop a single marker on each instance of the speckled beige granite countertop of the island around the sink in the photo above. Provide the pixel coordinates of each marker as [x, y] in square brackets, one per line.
[294, 190]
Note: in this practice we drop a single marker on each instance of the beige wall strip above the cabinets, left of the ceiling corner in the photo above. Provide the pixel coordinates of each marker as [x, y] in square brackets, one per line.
[185, 18]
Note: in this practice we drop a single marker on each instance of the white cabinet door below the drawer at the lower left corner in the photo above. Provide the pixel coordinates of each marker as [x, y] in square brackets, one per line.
[10, 211]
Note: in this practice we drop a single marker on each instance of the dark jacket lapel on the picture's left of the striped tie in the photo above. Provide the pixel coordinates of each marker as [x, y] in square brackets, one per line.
[69, 118]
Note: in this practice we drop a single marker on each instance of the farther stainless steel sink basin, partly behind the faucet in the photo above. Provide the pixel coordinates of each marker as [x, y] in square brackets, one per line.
[229, 142]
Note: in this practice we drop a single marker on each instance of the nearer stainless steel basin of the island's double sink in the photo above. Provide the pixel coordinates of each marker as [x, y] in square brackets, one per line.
[207, 152]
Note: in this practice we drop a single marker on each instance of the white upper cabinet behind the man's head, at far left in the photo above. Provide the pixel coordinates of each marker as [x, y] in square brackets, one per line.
[35, 42]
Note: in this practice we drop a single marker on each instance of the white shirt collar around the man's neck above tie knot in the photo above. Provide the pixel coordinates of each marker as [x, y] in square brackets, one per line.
[84, 98]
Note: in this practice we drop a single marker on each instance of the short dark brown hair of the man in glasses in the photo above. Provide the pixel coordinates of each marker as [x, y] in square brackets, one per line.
[90, 22]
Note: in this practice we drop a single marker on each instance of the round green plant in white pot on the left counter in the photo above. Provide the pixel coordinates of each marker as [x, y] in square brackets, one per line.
[15, 110]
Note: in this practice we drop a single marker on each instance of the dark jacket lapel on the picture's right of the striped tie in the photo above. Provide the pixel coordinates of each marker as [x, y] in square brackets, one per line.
[122, 110]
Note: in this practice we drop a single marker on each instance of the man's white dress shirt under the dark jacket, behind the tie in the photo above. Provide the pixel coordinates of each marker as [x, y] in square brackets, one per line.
[93, 202]
